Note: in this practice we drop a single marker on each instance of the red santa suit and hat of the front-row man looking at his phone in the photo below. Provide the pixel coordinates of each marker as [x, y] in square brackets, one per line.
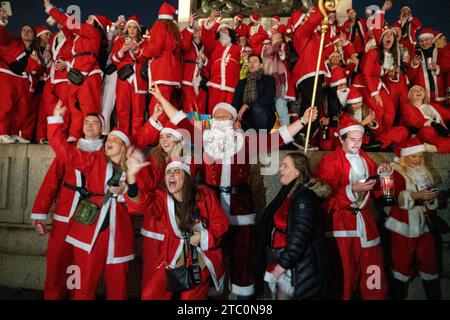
[351, 227]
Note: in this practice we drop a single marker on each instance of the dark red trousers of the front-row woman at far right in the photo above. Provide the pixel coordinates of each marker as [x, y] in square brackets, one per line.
[410, 255]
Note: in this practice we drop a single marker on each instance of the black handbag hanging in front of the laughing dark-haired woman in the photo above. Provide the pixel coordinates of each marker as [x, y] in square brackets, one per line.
[181, 278]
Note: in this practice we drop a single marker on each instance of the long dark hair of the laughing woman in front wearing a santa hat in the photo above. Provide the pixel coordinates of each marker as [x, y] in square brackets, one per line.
[188, 206]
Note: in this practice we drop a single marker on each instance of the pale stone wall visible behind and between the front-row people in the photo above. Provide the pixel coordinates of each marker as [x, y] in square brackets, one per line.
[22, 253]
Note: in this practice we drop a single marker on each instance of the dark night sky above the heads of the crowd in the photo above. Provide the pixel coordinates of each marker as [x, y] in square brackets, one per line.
[432, 13]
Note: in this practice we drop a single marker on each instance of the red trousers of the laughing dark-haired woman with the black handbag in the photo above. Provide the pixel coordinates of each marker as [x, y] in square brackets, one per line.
[156, 290]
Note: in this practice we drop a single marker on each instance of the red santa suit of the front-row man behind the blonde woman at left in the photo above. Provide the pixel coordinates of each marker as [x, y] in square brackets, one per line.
[59, 252]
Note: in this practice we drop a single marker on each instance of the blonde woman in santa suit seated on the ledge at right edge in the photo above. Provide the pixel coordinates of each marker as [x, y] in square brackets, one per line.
[428, 120]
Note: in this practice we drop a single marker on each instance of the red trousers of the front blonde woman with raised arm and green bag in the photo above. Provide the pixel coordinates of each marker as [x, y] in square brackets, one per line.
[93, 268]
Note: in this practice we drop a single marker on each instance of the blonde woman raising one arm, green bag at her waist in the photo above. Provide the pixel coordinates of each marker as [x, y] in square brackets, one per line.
[102, 230]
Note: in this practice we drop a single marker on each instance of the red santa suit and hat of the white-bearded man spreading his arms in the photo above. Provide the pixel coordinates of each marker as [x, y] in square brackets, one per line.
[227, 171]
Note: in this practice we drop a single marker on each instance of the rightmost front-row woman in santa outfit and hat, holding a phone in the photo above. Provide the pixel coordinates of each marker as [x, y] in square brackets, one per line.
[412, 242]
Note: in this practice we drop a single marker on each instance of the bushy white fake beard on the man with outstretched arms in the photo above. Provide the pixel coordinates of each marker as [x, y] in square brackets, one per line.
[222, 141]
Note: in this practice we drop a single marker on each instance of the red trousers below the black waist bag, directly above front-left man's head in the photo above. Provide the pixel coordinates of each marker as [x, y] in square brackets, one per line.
[83, 100]
